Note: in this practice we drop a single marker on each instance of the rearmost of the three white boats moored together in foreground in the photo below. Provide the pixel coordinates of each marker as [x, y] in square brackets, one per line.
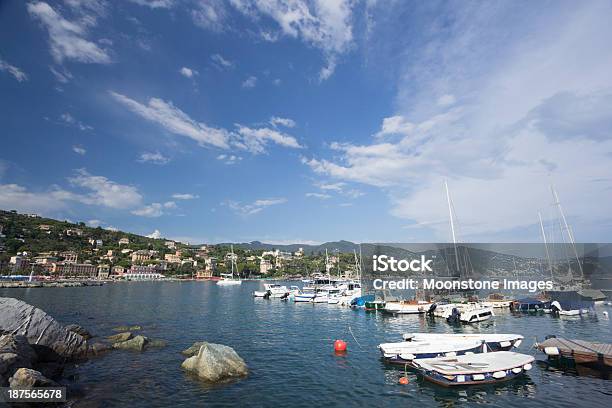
[493, 341]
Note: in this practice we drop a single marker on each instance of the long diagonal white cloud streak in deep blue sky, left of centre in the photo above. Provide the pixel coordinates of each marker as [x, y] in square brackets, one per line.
[175, 121]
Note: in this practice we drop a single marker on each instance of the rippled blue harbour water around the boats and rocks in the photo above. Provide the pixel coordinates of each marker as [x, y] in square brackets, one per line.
[288, 348]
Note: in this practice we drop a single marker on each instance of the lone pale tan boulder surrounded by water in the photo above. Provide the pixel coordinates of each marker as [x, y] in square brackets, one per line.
[216, 362]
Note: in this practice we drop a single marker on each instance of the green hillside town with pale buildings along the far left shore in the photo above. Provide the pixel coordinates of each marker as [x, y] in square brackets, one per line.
[50, 249]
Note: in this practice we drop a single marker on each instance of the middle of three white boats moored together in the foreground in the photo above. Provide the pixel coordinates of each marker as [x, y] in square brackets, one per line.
[405, 352]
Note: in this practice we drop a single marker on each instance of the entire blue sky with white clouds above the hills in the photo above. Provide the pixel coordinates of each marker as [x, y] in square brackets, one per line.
[308, 121]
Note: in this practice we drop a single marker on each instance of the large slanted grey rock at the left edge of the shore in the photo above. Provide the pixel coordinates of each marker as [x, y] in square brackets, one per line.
[41, 329]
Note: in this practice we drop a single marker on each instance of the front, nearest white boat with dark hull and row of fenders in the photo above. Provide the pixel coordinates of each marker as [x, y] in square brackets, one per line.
[474, 369]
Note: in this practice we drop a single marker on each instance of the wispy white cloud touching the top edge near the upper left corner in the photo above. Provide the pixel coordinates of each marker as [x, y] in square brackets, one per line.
[68, 39]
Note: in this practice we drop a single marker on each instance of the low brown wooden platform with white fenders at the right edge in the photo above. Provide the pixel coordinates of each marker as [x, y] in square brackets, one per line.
[582, 352]
